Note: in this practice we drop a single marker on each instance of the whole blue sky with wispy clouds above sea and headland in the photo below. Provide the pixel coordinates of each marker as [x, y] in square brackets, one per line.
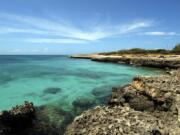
[87, 26]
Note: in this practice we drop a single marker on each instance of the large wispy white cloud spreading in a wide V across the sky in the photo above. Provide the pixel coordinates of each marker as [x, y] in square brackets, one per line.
[67, 33]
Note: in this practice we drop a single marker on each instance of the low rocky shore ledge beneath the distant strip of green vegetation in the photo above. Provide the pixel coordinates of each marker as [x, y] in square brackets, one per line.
[158, 61]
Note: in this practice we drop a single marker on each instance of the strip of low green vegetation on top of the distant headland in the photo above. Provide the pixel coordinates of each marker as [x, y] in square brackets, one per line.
[175, 50]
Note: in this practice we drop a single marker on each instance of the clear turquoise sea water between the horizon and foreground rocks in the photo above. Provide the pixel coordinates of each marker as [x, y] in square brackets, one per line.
[28, 77]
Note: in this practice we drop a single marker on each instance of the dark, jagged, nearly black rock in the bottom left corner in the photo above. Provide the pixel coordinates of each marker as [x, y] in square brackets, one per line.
[17, 119]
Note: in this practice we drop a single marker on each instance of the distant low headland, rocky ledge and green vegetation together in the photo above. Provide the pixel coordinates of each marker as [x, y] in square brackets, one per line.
[159, 58]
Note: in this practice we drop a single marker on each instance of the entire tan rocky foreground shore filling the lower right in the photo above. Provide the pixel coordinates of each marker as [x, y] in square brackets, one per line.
[147, 106]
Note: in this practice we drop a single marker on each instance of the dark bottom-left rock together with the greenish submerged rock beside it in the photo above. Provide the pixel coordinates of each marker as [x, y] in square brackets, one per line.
[29, 120]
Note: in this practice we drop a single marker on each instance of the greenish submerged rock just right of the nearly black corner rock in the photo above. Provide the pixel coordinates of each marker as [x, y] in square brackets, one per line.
[51, 120]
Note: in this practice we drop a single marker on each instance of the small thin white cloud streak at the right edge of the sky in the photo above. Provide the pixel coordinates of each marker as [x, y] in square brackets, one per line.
[160, 33]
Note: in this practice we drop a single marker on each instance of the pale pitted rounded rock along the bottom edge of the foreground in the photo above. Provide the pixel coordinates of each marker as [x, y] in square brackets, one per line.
[119, 121]
